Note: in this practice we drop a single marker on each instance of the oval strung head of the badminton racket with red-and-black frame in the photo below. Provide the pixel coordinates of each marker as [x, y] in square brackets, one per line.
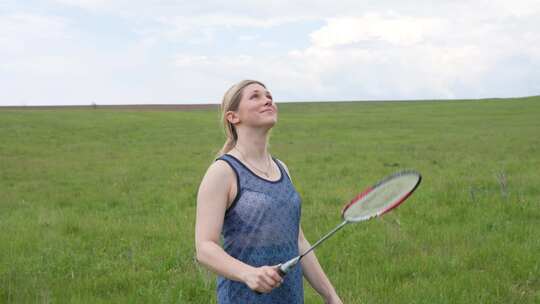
[382, 197]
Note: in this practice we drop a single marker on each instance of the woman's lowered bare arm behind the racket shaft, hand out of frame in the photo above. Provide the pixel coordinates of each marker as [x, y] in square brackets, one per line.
[315, 274]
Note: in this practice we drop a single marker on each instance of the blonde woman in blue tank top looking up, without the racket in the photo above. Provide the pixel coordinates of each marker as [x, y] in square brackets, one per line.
[248, 197]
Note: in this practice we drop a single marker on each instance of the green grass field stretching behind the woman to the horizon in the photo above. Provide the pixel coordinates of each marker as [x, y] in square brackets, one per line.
[98, 206]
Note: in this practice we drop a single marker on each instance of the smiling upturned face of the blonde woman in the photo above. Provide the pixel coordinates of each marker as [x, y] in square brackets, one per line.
[257, 109]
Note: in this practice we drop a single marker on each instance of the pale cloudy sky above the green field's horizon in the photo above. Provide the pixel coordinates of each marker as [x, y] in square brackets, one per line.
[80, 52]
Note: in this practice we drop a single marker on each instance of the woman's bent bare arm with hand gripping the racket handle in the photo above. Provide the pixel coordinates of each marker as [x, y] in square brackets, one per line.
[212, 202]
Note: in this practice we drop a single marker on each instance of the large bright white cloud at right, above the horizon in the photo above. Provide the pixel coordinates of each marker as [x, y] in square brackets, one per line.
[389, 55]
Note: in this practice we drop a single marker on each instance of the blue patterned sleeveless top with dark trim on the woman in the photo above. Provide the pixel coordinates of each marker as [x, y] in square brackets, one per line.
[261, 228]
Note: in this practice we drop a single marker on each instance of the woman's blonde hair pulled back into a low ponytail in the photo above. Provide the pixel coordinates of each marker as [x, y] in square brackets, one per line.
[231, 102]
